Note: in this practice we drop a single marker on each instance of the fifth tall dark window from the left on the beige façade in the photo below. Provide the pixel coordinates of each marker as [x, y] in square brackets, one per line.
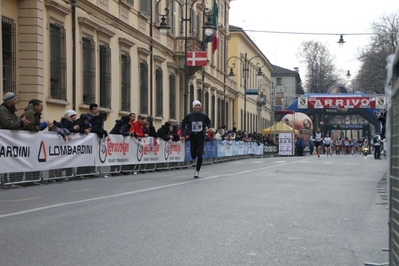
[125, 82]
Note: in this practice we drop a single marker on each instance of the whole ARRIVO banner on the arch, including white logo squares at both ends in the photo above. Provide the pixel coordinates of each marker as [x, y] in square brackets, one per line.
[341, 102]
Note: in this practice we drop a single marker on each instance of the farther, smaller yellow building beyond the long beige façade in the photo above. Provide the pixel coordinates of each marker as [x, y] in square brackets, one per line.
[252, 71]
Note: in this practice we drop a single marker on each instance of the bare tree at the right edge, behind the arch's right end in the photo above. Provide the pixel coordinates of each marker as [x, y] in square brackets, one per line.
[384, 41]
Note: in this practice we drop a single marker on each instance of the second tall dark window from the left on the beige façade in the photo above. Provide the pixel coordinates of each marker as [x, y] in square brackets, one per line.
[57, 62]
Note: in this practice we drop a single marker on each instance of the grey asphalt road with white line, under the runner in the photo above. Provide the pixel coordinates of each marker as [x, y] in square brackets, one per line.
[272, 211]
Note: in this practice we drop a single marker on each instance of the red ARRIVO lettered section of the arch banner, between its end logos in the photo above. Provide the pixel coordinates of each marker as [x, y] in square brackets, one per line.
[341, 102]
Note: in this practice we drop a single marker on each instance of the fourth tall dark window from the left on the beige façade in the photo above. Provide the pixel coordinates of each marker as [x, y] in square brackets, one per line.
[105, 76]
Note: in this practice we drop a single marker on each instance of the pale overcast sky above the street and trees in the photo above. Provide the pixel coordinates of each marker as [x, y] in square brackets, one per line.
[309, 16]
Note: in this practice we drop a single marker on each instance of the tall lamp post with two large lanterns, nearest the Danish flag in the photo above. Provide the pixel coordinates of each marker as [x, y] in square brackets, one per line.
[163, 27]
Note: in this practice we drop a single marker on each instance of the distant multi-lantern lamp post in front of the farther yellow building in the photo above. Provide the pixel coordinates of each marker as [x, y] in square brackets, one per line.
[245, 69]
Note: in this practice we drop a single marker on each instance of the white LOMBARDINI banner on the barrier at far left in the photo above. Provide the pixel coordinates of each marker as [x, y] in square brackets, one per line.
[23, 151]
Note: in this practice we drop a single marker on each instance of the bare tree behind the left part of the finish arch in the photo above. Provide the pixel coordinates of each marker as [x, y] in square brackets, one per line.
[321, 73]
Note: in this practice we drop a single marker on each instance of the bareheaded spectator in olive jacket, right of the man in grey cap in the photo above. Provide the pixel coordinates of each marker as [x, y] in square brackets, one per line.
[33, 113]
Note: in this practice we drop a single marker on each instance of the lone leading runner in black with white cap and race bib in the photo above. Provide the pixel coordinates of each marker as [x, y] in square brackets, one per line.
[193, 127]
